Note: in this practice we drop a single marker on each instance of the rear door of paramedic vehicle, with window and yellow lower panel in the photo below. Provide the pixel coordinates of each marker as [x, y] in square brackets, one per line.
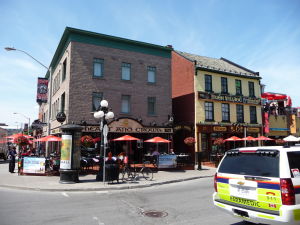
[250, 180]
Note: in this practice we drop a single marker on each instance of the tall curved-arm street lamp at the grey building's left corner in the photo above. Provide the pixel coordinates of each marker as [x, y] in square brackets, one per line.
[49, 69]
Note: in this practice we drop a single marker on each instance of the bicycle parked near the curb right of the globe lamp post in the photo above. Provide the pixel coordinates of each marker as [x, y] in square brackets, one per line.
[133, 172]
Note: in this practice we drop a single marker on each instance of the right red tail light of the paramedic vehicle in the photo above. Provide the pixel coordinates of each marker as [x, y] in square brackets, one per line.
[287, 191]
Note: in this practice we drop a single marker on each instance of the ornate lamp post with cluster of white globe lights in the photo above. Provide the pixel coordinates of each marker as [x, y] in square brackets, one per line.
[102, 116]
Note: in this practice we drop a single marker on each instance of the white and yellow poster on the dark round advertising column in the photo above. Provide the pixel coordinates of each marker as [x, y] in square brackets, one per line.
[66, 152]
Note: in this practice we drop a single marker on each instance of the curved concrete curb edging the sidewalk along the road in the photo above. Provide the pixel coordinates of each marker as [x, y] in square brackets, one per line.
[128, 187]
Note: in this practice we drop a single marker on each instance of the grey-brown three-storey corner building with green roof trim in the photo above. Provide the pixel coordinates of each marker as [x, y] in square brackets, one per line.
[134, 77]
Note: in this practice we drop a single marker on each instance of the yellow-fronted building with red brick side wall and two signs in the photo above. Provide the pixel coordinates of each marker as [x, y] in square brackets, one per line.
[213, 98]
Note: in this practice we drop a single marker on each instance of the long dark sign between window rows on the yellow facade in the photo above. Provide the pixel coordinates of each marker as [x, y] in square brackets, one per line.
[229, 98]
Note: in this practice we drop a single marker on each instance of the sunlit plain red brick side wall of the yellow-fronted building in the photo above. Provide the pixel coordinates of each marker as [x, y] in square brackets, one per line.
[183, 72]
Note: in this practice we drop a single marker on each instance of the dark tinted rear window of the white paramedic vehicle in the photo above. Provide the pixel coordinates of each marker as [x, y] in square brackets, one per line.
[251, 164]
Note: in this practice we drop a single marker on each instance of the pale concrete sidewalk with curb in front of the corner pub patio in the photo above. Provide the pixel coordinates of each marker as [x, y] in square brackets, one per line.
[89, 183]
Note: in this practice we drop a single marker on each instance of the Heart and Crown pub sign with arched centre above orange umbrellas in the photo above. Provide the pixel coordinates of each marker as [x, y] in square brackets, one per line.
[127, 125]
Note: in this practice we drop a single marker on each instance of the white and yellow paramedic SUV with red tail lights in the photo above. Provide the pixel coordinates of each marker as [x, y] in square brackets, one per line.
[260, 184]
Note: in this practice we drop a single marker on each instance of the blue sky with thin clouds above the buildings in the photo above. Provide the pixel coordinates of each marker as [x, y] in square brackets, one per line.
[262, 35]
